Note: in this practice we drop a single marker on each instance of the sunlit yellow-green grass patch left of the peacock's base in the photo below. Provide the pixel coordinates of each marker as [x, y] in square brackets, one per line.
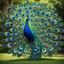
[10, 57]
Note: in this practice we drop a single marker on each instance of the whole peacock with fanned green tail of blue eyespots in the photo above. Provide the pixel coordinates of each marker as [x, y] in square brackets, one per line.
[31, 28]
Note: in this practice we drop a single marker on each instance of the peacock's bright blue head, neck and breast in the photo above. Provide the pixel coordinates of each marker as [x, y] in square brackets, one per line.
[27, 31]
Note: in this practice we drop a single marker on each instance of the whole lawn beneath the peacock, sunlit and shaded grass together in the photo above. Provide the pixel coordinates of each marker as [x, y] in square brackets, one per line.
[9, 59]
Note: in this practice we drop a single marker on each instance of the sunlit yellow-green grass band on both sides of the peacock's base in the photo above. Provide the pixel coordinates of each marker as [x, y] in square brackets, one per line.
[10, 57]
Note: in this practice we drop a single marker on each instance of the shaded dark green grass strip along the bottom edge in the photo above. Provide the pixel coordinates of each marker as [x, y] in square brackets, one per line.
[33, 62]
